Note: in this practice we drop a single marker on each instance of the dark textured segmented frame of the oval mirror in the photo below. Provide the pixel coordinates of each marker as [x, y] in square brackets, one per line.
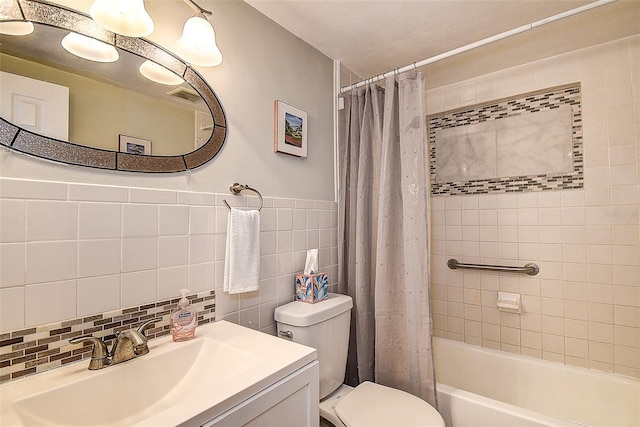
[23, 141]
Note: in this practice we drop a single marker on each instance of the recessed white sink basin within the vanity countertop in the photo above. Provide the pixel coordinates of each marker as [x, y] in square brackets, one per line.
[122, 395]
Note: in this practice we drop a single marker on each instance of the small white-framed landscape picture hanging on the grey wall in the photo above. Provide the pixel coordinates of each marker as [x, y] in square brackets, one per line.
[290, 129]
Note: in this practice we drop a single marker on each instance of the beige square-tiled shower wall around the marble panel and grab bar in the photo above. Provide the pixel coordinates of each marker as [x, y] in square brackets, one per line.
[583, 308]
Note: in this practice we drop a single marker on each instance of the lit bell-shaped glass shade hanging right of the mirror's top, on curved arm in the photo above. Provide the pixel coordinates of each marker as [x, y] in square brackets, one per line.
[198, 43]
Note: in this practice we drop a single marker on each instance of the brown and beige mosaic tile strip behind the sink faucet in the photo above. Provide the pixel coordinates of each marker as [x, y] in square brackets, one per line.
[39, 349]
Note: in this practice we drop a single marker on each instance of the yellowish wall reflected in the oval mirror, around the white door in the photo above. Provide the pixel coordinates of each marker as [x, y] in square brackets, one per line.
[100, 111]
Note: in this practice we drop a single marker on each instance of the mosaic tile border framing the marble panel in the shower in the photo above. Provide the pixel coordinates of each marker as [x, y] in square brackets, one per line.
[544, 100]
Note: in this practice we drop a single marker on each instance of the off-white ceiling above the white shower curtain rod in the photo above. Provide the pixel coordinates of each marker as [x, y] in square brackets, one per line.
[371, 37]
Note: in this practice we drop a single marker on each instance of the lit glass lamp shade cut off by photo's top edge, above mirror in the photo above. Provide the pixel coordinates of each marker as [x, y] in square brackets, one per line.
[126, 17]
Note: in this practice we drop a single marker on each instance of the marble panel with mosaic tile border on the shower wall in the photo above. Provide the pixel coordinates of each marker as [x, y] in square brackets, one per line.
[530, 142]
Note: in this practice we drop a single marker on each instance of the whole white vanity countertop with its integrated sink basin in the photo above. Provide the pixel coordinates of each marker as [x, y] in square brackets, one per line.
[176, 383]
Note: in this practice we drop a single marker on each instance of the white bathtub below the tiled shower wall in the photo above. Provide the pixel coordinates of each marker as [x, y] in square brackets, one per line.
[484, 387]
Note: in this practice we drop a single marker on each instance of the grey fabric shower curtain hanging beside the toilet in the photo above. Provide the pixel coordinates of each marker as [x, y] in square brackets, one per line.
[383, 235]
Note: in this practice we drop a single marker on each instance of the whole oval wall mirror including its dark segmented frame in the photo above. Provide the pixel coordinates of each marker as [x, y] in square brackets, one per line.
[182, 125]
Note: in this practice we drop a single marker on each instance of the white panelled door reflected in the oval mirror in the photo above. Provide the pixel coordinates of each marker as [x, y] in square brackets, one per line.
[35, 105]
